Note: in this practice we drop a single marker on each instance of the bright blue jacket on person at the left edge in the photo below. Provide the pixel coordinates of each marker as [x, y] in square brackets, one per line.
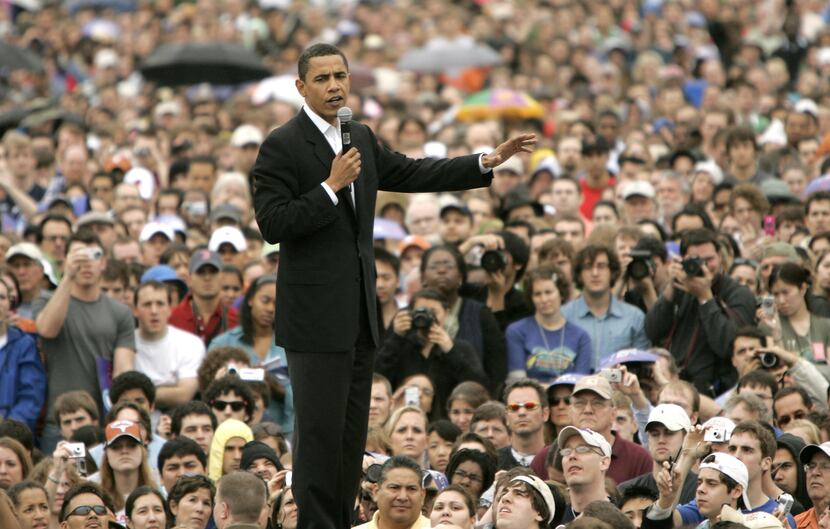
[22, 379]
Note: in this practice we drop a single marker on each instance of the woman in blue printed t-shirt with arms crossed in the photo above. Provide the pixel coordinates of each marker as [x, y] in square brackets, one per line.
[545, 345]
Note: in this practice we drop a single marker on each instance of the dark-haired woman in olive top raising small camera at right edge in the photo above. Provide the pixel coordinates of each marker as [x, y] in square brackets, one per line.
[792, 325]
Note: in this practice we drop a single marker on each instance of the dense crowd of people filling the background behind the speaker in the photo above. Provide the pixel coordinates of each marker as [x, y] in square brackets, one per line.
[628, 328]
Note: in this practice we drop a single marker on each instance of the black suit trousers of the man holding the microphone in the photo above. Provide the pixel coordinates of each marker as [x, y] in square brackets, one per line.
[331, 405]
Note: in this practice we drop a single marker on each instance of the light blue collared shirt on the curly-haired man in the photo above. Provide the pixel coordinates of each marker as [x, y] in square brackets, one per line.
[621, 327]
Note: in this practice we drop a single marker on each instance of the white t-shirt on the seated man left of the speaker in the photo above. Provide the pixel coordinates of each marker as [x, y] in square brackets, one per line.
[171, 359]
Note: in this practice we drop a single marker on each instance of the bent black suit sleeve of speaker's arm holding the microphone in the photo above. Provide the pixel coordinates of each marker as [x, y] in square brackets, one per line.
[283, 212]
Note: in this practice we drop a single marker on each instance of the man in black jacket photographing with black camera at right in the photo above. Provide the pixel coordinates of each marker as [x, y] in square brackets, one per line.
[699, 312]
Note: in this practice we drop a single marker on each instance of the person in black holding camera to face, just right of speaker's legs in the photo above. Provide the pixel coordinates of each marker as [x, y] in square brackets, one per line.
[421, 345]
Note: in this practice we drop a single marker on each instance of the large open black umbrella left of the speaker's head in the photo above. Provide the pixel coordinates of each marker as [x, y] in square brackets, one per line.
[219, 63]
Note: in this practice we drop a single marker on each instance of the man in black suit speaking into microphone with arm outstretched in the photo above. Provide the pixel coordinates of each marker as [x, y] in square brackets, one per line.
[320, 208]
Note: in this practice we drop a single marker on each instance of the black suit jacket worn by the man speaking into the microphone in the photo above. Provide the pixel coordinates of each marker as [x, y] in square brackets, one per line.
[326, 249]
